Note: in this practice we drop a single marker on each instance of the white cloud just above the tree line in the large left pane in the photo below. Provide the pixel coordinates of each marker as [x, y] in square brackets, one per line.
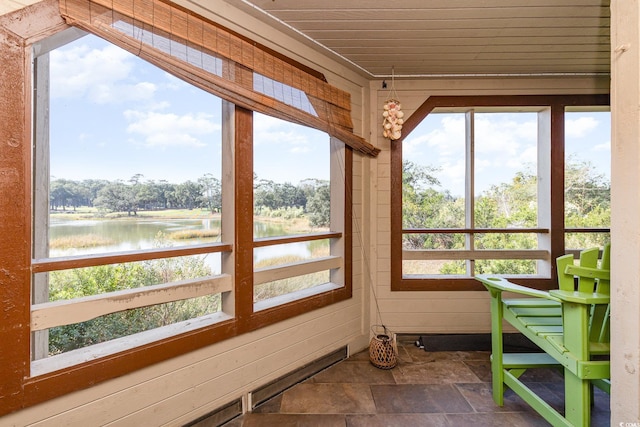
[167, 129]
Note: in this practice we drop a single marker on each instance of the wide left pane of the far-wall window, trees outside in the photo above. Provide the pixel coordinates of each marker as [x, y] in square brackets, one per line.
[470, 178]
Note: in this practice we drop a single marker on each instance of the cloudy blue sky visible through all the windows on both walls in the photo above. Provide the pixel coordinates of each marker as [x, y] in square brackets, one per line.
[114, 116]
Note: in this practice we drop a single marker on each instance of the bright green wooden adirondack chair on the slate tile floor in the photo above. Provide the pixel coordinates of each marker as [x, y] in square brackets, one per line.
[570, 325]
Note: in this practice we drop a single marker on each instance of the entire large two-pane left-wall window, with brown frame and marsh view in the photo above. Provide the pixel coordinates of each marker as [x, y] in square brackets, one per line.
[132, 240]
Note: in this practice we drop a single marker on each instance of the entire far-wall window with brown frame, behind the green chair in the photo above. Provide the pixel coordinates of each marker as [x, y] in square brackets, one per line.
[480, 194]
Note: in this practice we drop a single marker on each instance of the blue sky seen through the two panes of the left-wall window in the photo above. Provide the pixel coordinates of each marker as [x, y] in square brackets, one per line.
[114, 116]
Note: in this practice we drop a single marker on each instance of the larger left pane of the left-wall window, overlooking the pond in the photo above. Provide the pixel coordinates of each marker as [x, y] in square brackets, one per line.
[132, 158]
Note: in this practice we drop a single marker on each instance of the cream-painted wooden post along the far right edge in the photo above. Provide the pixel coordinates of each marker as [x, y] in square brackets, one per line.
[625, 221]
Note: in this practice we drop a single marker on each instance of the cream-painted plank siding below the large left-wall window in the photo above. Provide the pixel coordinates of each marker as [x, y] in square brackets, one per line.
[182, 389]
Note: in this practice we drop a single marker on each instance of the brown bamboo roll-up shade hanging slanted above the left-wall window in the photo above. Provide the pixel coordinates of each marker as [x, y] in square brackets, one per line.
[219, 61]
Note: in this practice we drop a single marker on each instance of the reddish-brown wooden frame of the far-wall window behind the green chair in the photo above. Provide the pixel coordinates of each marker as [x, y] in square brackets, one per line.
[556, 106]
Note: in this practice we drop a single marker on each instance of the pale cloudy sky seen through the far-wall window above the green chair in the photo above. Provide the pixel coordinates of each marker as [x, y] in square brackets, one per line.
[505, 145]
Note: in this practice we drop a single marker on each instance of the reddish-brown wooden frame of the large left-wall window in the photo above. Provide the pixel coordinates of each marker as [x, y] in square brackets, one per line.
[19, 388]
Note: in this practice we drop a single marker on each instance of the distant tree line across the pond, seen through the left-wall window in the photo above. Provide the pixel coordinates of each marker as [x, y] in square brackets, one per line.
[311, 196]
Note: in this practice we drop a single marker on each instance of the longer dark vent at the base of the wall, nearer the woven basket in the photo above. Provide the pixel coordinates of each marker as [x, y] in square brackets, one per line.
[276, 387]
